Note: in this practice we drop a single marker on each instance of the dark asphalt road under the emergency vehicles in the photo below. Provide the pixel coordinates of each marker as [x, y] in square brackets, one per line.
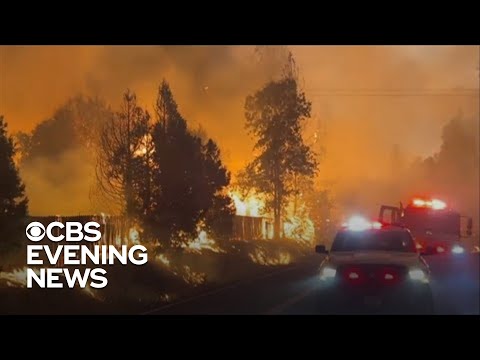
[295, 290]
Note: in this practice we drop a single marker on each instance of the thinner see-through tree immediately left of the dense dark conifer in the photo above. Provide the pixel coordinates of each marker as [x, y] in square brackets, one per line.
[122, 139]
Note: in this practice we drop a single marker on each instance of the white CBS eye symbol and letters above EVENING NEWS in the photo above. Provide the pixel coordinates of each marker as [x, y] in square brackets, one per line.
[74, 231]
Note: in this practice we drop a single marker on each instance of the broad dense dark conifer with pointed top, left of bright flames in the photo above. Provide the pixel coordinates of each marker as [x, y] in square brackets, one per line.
[188, 175]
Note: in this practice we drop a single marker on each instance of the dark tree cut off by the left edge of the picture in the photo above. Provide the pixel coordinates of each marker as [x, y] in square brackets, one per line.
[13, 202]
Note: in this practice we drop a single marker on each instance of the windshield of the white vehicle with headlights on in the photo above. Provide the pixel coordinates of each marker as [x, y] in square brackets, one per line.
[374, 241]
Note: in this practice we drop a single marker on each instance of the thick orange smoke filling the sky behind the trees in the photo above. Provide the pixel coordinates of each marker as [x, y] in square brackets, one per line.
[376, 109]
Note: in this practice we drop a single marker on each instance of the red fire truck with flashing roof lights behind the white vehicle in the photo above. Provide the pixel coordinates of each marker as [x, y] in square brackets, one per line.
[437, 229]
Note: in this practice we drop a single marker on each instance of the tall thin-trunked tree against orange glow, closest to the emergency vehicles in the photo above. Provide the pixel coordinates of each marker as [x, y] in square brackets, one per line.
[274, 115]
